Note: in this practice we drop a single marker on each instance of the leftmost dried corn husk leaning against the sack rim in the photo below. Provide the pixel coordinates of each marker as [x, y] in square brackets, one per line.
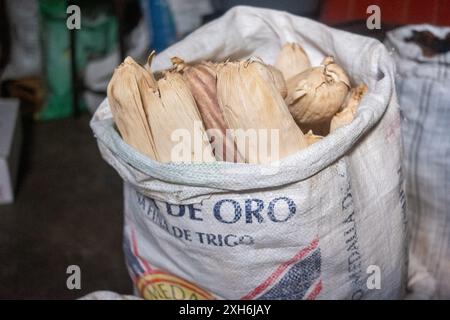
[127, 105]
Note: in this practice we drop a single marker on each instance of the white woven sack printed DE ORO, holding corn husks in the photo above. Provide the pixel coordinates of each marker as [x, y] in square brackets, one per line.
[326, 222]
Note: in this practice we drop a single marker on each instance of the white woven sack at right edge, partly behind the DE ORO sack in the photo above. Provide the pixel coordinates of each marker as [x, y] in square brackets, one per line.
[423, 85]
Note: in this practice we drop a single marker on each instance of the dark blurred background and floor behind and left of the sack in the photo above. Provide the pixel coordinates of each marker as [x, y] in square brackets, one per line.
[66, 203]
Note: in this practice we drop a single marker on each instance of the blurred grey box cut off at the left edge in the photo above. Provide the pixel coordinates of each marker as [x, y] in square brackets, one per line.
[10, 143]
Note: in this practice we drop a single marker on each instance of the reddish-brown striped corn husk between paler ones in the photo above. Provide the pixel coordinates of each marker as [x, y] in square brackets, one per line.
[201, 79]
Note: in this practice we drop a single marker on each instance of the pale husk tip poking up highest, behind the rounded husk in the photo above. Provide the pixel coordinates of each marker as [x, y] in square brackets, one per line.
[292, 60]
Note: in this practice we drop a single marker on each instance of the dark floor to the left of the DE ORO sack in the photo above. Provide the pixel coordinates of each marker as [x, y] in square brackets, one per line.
[68, 211]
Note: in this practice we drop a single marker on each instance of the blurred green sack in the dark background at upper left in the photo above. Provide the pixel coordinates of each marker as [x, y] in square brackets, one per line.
[96, 38]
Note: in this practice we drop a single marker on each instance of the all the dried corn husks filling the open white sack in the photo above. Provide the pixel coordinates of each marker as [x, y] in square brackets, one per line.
[236, 111]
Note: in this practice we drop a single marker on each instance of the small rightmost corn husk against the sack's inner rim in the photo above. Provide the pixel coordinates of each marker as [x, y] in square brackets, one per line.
[349, 108]
